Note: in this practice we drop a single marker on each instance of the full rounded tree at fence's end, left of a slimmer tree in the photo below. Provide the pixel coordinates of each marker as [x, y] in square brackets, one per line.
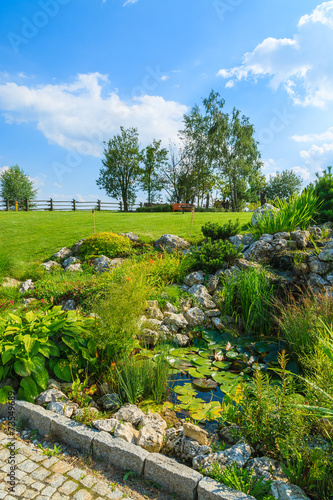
[120, 173]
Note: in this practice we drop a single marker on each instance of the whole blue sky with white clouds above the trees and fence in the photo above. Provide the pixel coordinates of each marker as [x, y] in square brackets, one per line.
[73, 71]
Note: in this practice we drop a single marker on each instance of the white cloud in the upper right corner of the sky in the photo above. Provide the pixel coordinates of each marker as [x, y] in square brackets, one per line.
[302, 65]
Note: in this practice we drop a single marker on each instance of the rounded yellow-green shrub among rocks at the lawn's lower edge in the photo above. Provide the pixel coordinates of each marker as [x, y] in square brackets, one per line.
[109, 244]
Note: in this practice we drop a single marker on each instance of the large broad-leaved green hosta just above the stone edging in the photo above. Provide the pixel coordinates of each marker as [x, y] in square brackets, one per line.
[38, 343]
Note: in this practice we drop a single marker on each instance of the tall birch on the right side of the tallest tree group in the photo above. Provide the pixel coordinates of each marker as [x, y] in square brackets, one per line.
[232, 148]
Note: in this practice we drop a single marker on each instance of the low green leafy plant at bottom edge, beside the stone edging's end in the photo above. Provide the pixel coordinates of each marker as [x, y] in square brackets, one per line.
[241, 480]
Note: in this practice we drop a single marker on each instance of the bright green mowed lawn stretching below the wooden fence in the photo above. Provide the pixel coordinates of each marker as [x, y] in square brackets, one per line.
[35, 236]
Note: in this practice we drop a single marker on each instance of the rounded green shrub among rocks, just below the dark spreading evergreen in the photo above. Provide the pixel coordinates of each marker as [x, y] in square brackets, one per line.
[214, 255]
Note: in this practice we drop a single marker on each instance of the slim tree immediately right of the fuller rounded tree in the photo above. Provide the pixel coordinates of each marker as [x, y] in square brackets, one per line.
[153, 158]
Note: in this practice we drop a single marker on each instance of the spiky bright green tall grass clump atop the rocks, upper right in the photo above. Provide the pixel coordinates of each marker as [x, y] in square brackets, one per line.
[297, 211]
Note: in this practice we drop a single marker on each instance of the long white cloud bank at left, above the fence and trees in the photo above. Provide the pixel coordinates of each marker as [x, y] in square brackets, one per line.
[77, 116]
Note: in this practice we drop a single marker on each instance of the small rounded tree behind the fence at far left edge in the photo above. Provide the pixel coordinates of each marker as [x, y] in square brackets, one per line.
[15, 185]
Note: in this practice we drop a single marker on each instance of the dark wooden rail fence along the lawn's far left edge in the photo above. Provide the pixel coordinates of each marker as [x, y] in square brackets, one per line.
[73, 205]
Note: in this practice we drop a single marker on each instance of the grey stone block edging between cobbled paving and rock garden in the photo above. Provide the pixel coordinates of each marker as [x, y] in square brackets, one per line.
[185, 482]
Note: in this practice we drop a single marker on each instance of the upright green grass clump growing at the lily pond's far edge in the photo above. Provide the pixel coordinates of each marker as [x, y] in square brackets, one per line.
[249, 294]
